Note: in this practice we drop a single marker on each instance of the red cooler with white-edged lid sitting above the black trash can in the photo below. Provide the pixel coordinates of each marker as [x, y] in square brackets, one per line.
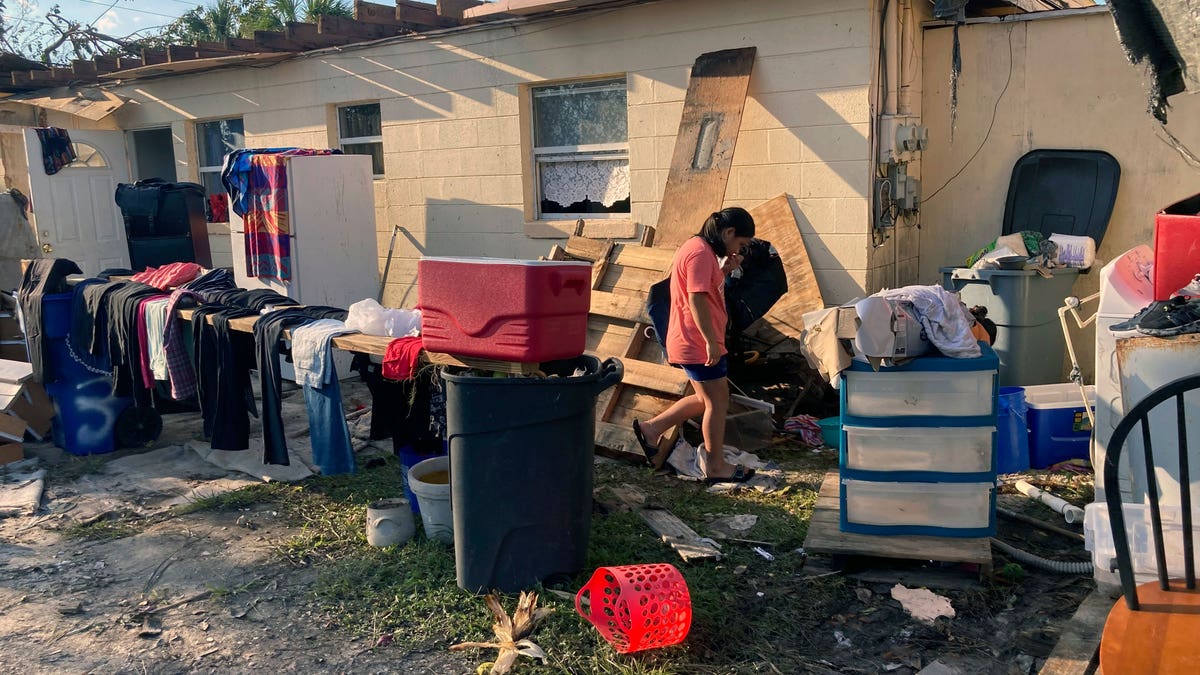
[527, 312]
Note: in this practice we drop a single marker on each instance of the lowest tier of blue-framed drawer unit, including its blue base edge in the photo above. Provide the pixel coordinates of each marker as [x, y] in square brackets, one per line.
[953, 510]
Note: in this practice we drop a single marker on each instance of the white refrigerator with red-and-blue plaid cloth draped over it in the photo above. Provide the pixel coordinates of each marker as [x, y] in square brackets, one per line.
[333, 223]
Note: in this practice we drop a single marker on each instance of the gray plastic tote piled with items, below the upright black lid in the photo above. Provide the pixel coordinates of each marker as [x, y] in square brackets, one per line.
[1025, 308]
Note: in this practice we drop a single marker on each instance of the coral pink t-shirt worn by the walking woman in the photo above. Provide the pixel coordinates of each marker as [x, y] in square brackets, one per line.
[695, 271]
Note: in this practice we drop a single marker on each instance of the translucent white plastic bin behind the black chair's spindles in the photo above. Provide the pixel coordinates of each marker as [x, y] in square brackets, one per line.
[1099, 540]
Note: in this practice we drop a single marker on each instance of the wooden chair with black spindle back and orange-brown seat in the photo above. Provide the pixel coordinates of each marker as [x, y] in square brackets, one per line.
[1157, 628]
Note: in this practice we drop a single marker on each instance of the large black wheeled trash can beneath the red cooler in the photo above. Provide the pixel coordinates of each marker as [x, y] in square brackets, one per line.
[521, 469]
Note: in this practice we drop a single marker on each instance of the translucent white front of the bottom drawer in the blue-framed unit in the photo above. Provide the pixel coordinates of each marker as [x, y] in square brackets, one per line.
[919, 505]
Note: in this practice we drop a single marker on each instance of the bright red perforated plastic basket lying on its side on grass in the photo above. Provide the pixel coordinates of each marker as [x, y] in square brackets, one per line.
[638, 607]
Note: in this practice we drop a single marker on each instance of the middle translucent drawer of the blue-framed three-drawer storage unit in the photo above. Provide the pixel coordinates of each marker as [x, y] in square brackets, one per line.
[916, 449]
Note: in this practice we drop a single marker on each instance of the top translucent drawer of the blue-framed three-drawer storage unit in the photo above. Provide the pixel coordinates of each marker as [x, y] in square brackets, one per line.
[921, 393]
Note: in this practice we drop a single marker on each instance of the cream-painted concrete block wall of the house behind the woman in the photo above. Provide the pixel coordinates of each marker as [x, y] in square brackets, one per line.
[453, 122]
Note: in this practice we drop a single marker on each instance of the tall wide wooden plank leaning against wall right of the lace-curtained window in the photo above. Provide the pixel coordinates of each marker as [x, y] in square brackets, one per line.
[705, 145]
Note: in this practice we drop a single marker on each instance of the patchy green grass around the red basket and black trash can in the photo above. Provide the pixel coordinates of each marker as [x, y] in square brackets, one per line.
[748, 614]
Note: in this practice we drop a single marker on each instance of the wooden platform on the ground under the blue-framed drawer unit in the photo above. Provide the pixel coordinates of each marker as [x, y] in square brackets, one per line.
[826, 537]
